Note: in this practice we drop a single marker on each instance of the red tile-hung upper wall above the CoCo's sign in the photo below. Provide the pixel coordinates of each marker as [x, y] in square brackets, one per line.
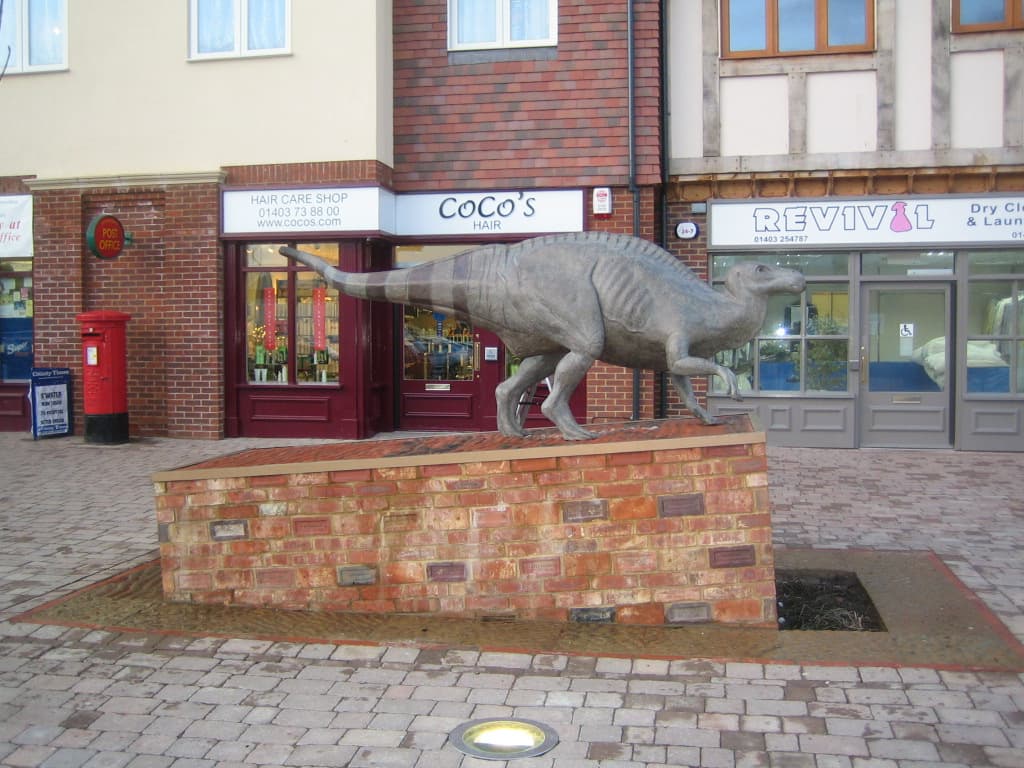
[562, 122]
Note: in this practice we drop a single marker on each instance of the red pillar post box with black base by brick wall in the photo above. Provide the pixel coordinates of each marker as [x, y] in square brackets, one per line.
[105, 376]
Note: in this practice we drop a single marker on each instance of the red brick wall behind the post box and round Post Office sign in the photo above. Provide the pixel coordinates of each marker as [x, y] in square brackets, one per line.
[169, 279]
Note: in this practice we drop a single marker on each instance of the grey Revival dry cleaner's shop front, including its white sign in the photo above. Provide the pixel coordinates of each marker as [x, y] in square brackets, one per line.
[910, 334]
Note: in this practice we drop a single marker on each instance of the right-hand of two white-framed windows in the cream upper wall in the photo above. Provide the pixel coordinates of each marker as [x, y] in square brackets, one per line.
[221, 29]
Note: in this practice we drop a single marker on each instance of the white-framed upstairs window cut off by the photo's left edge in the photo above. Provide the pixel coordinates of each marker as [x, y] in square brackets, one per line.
[34, 36]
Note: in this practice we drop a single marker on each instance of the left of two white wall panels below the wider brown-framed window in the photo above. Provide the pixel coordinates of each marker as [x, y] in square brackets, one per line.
[755, 116]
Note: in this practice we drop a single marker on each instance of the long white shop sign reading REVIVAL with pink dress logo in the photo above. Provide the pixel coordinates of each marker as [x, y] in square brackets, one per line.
[775, 225]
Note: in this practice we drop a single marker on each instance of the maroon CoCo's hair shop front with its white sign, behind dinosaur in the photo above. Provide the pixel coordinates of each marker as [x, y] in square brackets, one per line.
[304, 361]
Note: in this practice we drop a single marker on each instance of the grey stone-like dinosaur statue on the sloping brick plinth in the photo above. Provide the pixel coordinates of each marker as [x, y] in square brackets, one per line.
[562, 303]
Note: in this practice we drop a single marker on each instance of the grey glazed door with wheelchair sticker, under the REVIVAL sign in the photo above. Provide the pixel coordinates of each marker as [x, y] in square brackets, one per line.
[908, 377]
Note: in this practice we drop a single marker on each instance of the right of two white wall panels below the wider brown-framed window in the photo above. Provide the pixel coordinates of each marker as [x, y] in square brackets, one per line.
[842, 112]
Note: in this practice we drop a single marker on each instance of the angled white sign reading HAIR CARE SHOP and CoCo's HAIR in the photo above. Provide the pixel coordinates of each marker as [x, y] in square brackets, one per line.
[374, 210]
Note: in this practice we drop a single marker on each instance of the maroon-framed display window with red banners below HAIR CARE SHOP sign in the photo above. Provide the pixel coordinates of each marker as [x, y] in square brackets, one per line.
[301, 366]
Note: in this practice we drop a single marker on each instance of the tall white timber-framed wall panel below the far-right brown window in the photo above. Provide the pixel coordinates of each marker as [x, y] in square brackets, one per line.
[976, 100]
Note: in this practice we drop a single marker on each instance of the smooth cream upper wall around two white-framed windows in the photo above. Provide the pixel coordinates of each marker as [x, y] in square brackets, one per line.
[132, 102]
